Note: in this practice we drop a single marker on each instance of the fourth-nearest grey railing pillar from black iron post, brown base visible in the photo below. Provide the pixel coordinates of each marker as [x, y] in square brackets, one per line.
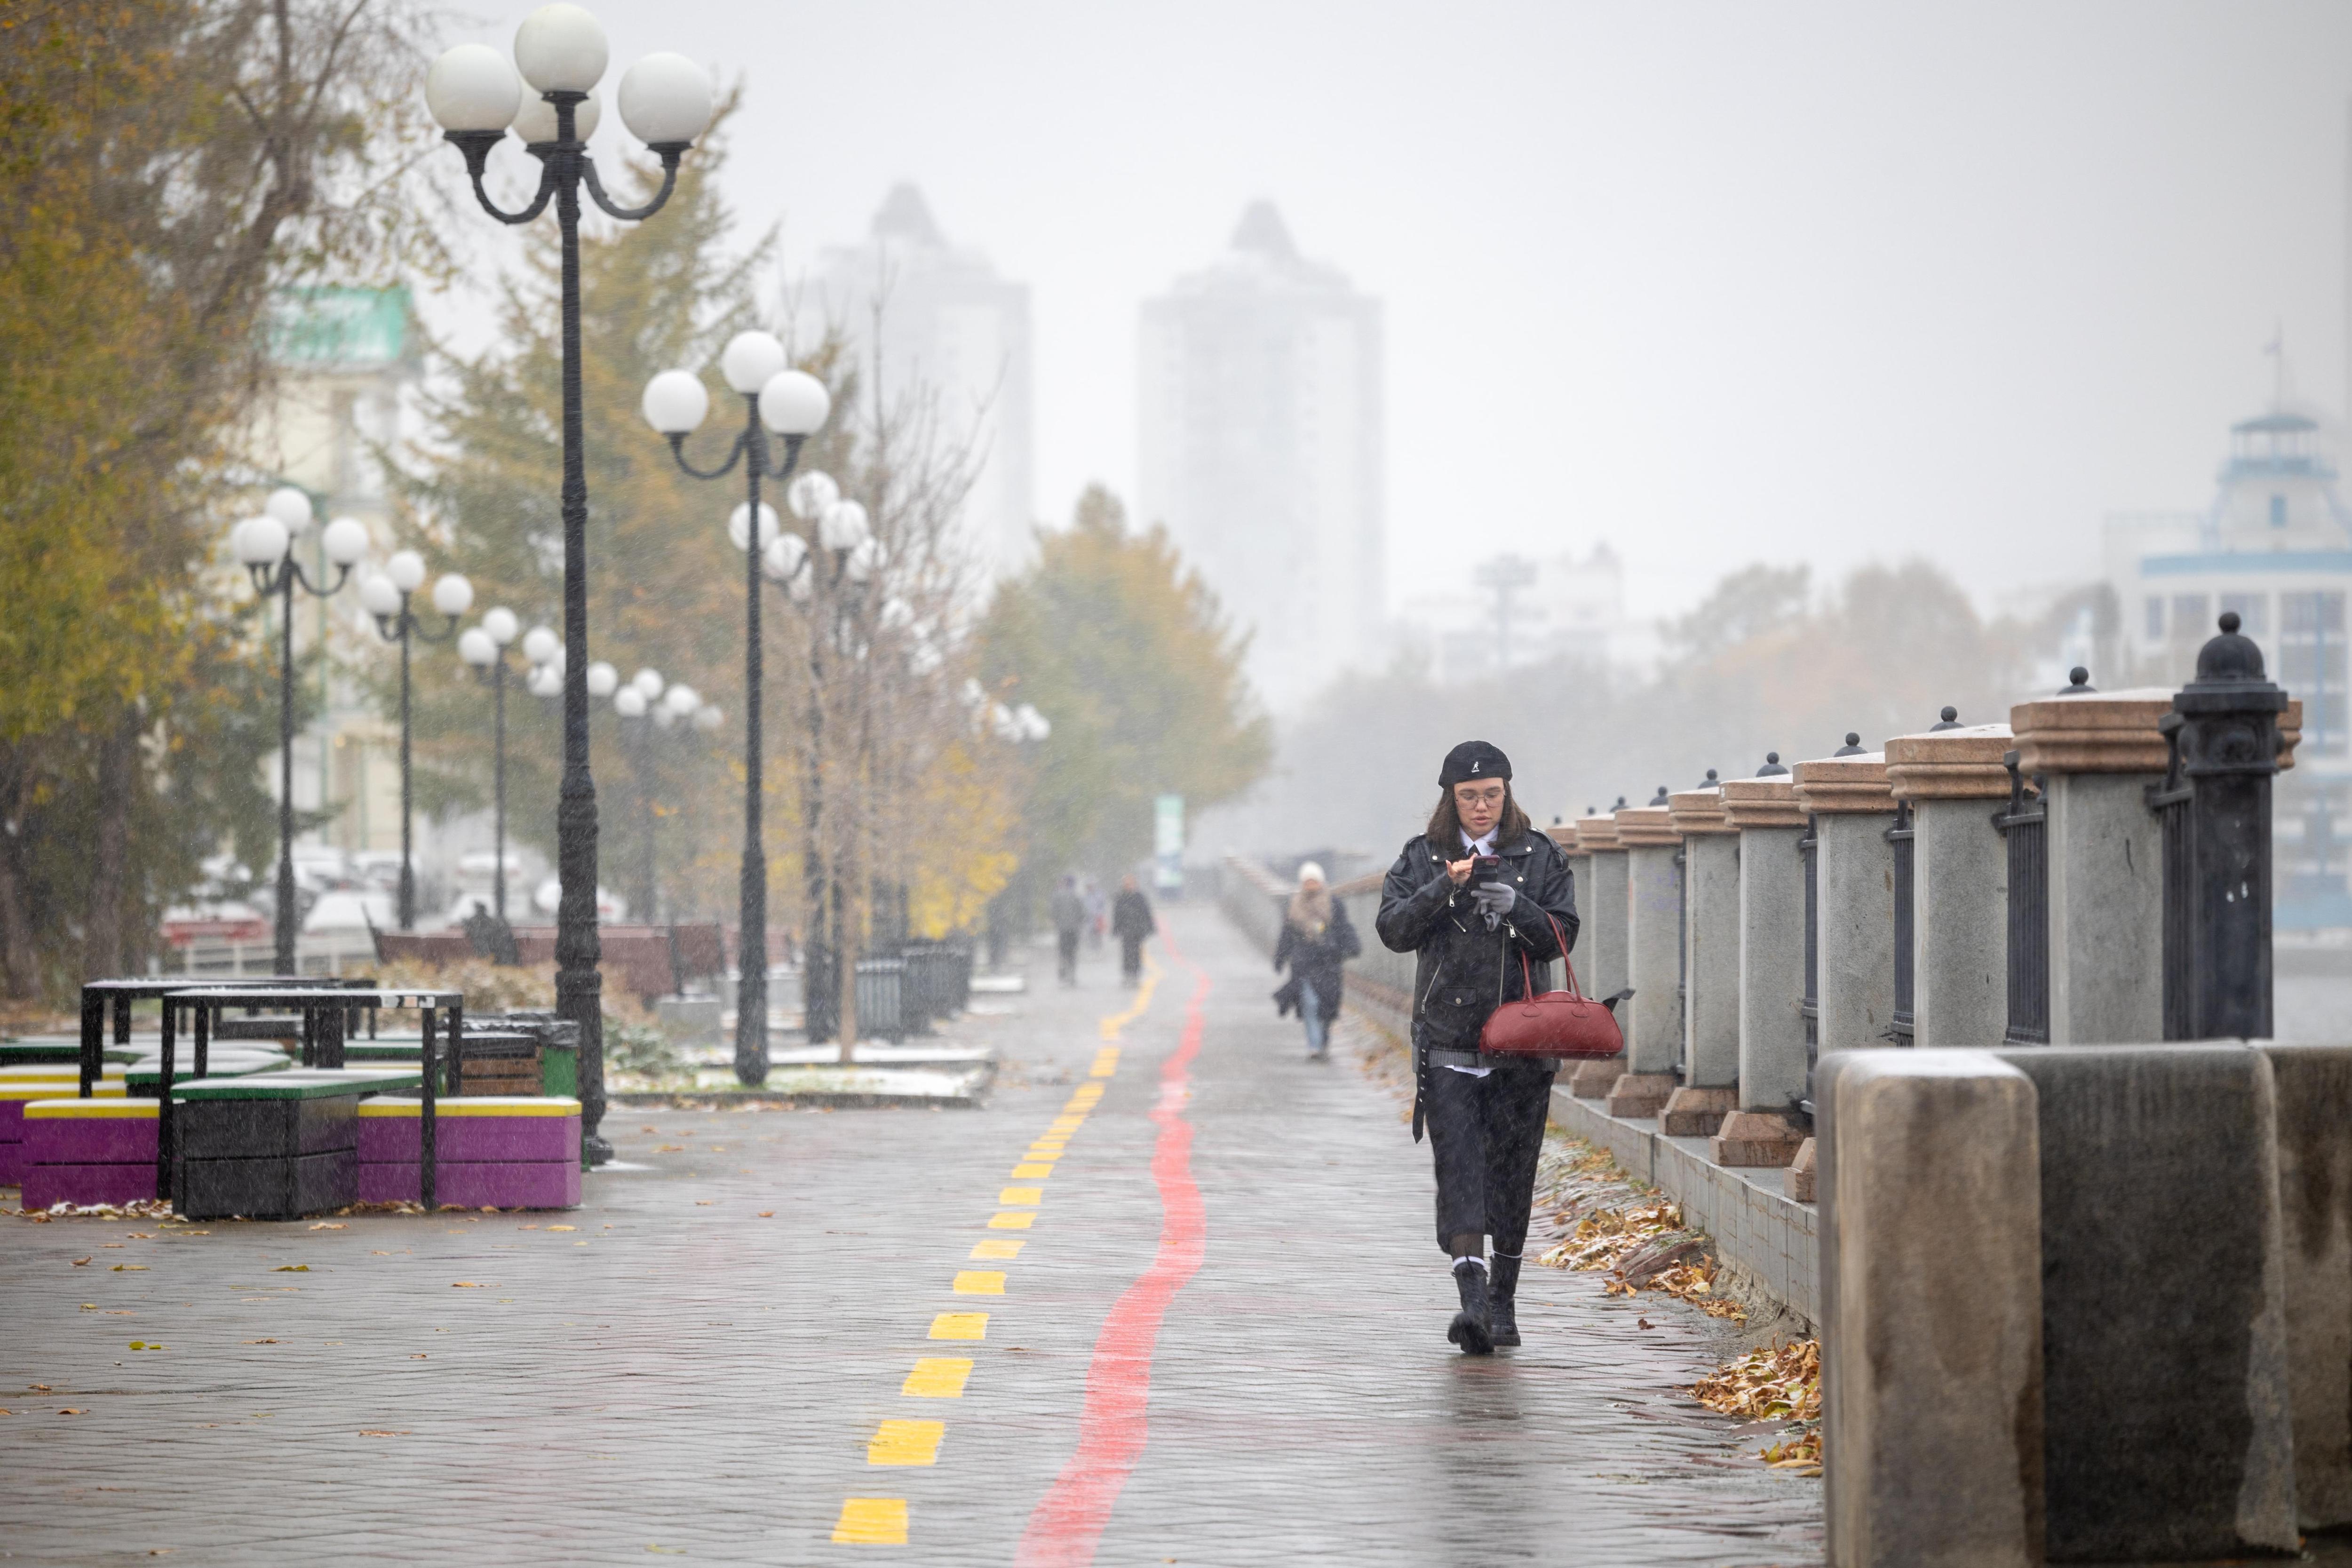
[1768, 819]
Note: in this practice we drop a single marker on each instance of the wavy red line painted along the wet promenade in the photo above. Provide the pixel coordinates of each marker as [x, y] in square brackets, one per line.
[1111, 1428]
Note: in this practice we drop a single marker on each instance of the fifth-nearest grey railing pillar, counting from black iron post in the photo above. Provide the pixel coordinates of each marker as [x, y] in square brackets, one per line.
[1711, 967]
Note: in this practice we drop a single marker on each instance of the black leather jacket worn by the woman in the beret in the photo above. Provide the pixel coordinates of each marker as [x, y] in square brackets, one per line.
[1464, 970]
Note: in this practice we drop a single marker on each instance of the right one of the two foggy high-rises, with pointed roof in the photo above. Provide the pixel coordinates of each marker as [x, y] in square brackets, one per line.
[1262, 450]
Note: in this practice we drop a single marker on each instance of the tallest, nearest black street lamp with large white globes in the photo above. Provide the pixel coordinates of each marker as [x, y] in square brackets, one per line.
[474, 95]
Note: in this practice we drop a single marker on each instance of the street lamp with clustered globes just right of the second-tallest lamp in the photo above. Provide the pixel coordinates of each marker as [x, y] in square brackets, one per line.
[815, 568]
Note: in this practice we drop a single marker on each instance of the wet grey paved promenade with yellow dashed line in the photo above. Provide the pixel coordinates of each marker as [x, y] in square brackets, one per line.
[719, 1353]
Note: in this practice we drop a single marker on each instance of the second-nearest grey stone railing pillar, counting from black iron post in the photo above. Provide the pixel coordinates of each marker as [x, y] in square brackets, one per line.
[1960, 883]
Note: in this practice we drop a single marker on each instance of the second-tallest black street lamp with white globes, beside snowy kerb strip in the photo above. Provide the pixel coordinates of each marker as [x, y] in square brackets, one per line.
[794, 406]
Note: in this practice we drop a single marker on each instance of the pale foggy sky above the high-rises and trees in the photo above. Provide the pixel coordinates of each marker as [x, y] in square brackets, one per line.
[1706, 281]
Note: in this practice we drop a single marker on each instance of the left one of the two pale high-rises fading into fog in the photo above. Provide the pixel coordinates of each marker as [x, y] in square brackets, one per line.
[951, 330]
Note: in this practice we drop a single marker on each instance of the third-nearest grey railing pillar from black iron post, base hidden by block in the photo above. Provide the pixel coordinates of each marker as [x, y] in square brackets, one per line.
[1857, 897]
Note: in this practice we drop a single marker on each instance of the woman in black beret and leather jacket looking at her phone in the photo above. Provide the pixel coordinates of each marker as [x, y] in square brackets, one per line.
[1474, 894]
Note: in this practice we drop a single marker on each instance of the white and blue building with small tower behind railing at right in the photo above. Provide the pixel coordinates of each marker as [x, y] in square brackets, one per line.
[2276, 547]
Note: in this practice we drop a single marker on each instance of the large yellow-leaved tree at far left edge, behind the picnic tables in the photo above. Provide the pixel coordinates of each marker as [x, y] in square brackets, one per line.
[166, 168]
